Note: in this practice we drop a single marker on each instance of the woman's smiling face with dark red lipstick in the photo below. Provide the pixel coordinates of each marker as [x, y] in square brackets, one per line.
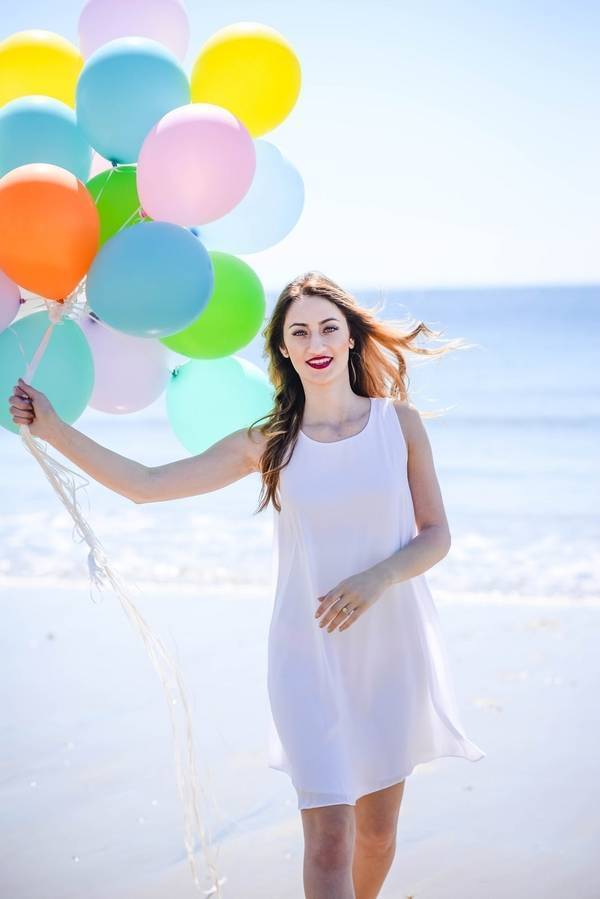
[314, 327]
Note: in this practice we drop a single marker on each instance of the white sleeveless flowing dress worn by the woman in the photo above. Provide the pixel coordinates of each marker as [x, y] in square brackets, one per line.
[353, 711]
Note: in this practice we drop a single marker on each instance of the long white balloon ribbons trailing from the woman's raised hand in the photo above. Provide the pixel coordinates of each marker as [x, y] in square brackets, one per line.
[100, 570]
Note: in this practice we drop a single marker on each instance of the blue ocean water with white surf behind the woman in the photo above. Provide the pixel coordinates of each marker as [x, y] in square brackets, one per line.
[516, 453]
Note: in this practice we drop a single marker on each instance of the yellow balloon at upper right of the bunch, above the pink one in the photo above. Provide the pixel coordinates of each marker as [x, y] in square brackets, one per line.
[251, 70]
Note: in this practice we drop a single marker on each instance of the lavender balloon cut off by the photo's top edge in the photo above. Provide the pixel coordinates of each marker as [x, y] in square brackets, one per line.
[164, 21]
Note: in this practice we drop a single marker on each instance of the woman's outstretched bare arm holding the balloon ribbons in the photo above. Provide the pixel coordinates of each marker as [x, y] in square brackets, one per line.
[226, 461]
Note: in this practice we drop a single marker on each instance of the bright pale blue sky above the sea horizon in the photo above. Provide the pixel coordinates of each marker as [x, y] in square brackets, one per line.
[441, 143]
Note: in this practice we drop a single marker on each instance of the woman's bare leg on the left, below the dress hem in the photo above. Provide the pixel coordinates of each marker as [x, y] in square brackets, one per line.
[328, 844]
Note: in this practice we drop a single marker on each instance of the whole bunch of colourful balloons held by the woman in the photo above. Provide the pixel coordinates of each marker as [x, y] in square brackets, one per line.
[128, 190]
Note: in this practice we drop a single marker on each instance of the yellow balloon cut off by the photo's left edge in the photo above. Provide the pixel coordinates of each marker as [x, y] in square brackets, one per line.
[39, 62]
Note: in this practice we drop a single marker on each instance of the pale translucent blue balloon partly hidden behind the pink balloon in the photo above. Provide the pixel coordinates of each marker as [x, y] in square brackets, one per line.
[267, 213]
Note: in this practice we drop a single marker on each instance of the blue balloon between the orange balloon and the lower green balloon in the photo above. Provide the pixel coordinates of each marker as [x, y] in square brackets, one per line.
[150, 280]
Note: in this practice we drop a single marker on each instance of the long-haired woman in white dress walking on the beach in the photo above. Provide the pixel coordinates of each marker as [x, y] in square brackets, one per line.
[359, 686]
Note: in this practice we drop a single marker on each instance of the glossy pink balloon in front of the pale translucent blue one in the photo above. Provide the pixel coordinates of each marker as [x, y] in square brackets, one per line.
[195, 165]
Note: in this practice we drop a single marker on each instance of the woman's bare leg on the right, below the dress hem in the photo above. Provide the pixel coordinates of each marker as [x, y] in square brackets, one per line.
[375, 826]
